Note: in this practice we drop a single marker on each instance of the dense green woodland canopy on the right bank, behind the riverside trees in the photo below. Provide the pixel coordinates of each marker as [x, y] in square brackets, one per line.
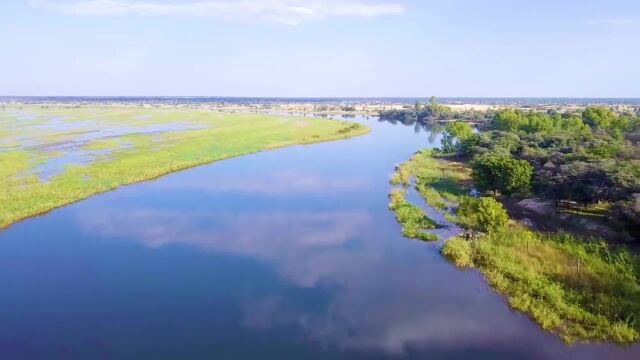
[572, 162]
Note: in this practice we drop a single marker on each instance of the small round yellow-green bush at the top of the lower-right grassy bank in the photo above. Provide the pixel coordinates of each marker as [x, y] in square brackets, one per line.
[482, 214]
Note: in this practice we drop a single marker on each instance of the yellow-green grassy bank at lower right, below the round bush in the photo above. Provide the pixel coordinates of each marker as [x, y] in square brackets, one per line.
[578, 289]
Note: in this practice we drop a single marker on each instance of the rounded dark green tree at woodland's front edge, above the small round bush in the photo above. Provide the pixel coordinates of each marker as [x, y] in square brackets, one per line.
[499, 172]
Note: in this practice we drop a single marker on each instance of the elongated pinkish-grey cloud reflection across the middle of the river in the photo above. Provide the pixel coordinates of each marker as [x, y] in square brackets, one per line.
[303, 246]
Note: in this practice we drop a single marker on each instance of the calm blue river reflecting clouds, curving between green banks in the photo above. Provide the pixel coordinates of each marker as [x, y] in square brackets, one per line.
[286, 254]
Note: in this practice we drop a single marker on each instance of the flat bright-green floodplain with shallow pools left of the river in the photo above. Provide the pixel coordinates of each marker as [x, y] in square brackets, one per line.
[55, 155]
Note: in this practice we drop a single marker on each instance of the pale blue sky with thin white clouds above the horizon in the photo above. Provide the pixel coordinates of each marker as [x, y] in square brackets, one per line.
[493, 48]
